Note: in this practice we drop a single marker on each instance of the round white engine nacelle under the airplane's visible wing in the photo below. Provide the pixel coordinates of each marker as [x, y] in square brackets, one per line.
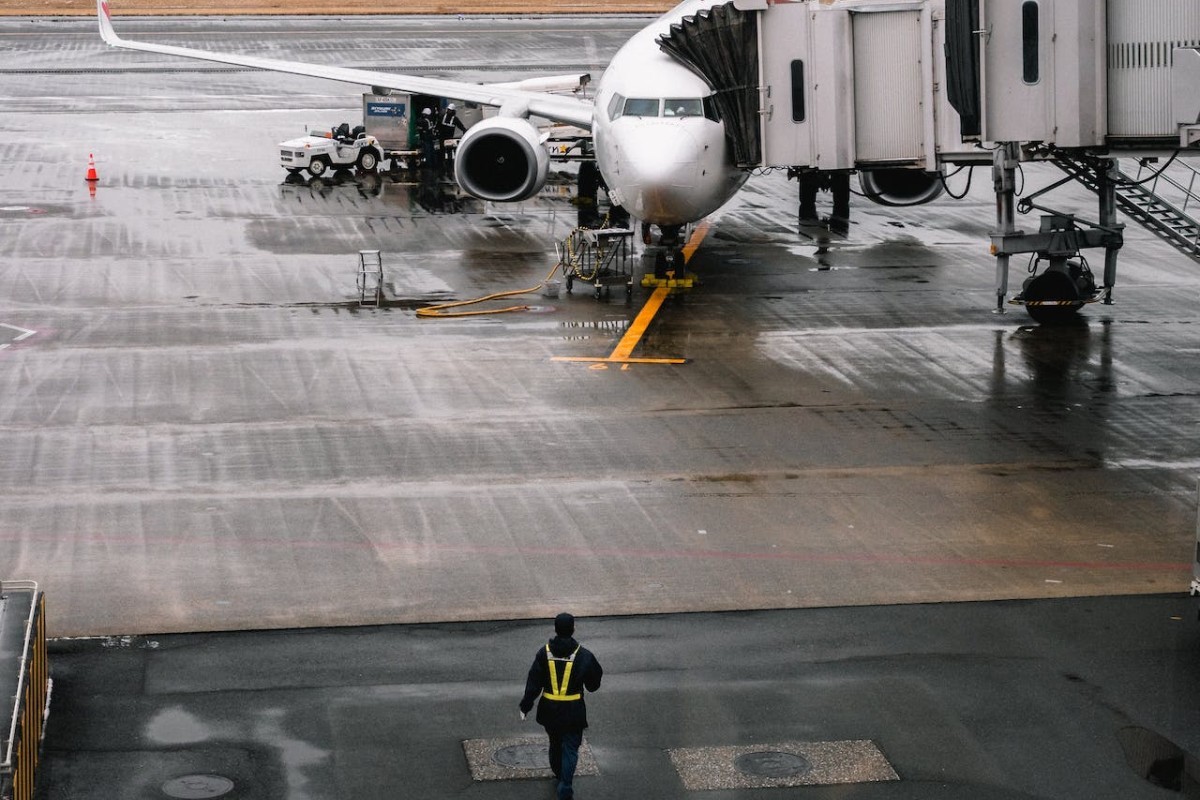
[502, 159]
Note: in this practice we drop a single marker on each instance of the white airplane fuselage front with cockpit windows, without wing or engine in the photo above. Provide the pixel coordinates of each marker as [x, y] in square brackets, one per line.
[661, 146]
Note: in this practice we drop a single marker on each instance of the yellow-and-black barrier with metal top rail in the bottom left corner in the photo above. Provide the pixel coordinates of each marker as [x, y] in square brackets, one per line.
[25, 654]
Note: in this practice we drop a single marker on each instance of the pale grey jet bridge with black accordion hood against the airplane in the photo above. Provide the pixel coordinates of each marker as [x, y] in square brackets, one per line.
[898, 91]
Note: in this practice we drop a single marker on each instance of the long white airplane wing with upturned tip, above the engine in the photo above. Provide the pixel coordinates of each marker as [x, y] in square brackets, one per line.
[513, 101]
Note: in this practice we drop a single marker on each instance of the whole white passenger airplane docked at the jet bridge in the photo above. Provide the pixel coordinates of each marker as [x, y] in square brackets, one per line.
[662, 146]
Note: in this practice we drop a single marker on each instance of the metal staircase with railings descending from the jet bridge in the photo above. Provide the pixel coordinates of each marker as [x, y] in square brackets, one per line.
[1143, 206]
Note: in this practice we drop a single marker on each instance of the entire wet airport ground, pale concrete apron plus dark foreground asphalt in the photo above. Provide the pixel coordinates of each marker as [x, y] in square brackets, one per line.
[206, 431]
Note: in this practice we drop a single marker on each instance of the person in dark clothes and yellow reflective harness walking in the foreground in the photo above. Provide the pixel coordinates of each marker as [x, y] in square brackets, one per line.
[560, 673]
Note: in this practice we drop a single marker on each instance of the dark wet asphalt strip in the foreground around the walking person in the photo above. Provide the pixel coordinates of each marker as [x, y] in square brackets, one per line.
[1004, 701]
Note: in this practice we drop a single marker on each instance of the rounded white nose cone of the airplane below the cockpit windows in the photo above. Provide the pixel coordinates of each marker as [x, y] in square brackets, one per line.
[659, 173]
